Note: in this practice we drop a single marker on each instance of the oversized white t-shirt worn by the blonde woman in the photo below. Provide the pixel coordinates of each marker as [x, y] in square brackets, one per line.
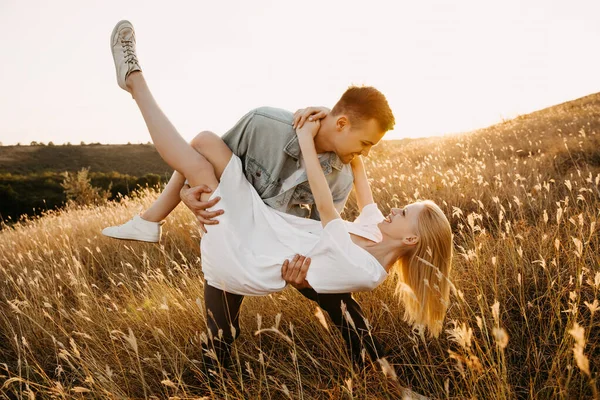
[243, 254]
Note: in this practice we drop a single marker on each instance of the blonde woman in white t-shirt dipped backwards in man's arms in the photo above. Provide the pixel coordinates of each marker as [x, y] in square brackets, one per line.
[243, 253]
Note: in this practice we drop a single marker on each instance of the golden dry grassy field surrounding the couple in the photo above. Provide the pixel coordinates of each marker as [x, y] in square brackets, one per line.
[83, 316]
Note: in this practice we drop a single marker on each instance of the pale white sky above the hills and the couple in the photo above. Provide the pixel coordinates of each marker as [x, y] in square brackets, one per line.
[445, 66]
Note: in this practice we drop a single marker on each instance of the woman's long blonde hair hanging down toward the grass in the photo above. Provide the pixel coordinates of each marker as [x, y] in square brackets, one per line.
[423, 285]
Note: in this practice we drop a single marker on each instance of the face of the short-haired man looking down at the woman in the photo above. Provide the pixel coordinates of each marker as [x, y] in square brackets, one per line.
[356, 139]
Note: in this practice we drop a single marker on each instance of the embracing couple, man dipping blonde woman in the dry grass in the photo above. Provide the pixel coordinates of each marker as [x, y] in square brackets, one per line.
[269, 172]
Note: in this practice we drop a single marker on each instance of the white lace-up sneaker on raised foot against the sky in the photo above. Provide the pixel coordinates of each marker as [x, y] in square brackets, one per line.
[122, 43]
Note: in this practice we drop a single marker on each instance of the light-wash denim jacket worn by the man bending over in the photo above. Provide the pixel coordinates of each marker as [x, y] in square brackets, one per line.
[268, 147]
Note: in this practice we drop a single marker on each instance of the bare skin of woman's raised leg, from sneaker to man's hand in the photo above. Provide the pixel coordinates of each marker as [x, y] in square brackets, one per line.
[174, 150]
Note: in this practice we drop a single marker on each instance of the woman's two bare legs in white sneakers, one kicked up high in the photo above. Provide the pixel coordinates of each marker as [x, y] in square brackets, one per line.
[174, 150]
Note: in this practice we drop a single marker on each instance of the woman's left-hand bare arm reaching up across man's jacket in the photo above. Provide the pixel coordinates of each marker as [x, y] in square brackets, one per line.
[316, 177]
